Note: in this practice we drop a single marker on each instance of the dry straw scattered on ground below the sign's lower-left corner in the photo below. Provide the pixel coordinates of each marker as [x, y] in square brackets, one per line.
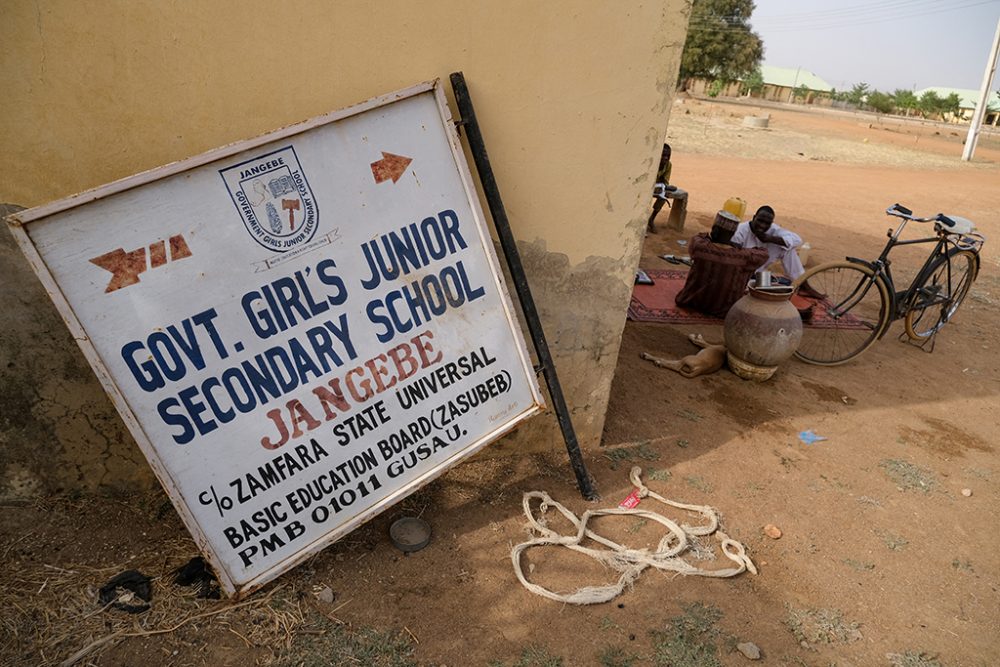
[50, 615]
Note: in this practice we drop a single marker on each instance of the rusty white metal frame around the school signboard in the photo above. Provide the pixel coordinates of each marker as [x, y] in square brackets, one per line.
[20, 225]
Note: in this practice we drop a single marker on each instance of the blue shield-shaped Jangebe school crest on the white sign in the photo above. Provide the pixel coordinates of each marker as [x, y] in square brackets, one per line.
[273, 198]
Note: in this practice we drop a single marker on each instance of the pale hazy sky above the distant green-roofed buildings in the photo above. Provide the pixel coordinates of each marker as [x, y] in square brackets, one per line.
[888, 44]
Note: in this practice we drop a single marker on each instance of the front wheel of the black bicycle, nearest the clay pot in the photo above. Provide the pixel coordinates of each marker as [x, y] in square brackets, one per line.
[849, 318]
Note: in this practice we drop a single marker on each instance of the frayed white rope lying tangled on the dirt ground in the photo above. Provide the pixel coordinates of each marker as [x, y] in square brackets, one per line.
[628, 562]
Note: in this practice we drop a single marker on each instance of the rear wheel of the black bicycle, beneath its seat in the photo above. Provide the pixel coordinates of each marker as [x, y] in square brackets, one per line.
[938, 297]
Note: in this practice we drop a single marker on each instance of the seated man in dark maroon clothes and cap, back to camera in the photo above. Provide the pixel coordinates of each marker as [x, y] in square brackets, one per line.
[721, 269]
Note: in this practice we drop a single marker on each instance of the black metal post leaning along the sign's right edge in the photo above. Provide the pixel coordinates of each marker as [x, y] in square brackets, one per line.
[509, 246]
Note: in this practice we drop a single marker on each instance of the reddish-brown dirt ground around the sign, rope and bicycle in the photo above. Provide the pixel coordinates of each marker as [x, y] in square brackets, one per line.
[883, 560]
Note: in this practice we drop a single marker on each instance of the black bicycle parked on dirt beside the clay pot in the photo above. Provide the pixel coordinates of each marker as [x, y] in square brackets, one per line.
[860, 299]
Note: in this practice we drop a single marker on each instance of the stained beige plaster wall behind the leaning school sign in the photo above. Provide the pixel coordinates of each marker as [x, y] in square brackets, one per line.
[573, 100]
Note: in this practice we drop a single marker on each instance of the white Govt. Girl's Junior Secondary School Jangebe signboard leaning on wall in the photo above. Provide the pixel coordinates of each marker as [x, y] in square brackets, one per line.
[299, 330]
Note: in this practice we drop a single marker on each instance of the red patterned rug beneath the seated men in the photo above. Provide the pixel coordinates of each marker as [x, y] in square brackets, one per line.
[655, 303]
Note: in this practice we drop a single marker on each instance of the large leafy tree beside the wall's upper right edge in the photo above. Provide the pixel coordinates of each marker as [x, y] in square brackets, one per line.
[720, 44]
